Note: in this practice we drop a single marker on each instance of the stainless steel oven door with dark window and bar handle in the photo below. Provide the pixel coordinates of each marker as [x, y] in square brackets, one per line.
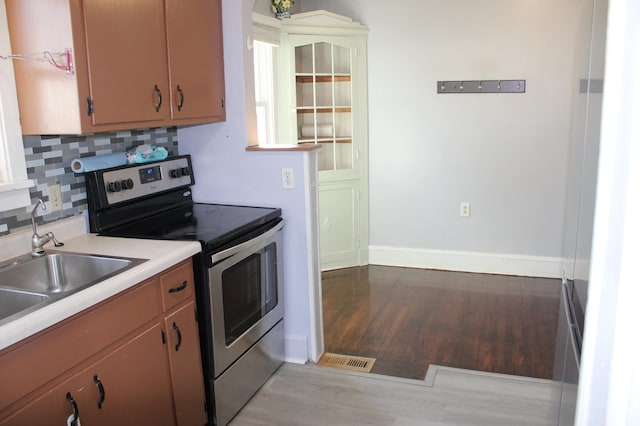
[246, 291]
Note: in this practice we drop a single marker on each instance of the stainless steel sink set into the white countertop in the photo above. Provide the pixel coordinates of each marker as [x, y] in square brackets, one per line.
[28, 281]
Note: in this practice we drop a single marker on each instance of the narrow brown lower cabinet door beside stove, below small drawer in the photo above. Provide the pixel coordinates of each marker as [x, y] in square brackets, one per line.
[186, 372]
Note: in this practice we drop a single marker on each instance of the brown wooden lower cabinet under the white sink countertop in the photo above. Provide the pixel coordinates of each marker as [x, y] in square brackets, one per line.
[151, 375]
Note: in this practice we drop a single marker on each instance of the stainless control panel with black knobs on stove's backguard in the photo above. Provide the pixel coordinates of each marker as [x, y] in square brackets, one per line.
[141, 180]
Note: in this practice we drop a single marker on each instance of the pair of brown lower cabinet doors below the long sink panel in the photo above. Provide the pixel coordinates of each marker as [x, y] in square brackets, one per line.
[135, 389]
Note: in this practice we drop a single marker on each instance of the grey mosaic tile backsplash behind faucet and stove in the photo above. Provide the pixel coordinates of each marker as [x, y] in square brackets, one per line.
[49, 159]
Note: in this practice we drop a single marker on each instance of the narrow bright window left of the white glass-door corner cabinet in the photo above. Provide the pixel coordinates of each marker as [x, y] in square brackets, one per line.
[263, 60]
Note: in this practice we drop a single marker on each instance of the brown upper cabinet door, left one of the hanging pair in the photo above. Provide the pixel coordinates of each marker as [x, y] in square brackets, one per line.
[126, 53]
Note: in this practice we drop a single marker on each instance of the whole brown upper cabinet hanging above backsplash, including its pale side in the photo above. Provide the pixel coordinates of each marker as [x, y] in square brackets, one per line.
[129, 57]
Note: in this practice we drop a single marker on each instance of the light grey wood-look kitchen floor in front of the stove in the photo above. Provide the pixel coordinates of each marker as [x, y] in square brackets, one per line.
[310, 395]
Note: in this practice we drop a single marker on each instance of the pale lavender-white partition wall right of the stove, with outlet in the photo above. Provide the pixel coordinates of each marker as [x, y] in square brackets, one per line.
[226, 173]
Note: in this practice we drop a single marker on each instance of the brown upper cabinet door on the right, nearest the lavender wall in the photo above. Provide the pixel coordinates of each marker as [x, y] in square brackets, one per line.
[194, 34]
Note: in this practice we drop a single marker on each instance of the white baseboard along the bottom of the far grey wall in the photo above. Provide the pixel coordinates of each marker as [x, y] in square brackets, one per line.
[490, 263]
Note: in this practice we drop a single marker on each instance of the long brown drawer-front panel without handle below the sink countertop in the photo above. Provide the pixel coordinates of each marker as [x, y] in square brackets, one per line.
[52, 352]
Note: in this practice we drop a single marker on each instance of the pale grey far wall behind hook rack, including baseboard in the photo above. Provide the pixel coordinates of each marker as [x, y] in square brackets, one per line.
[505, 154]
